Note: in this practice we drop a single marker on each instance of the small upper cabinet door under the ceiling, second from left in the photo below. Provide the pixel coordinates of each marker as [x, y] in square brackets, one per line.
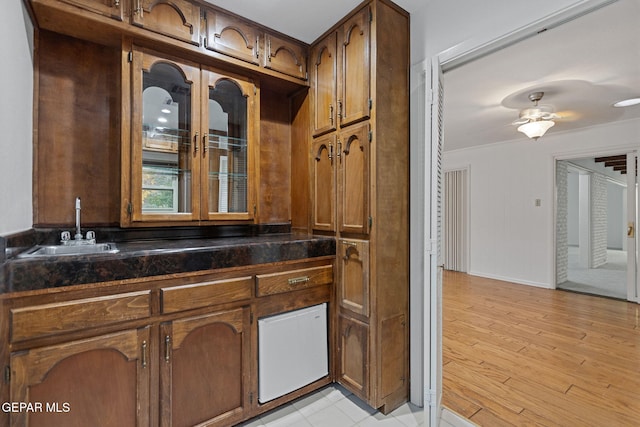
[178, 19]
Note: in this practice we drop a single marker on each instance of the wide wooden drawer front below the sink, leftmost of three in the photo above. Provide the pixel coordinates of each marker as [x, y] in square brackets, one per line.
[49, 319]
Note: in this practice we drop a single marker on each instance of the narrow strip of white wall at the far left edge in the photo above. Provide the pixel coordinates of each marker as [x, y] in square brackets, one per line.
[16, 35]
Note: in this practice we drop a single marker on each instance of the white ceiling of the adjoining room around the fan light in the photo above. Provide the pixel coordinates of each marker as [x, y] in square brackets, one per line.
[583, 66]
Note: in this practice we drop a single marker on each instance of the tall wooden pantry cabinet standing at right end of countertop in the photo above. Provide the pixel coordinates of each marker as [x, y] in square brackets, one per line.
[359, 192]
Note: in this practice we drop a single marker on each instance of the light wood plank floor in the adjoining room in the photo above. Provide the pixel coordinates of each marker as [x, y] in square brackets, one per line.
[517, 355]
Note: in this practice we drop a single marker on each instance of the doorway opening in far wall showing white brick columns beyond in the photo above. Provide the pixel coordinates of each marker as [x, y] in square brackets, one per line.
[592, 214]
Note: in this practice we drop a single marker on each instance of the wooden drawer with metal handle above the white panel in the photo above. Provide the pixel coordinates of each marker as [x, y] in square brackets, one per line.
[275, 283]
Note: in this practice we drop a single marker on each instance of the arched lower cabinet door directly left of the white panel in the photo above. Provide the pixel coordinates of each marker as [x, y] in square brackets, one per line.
[204, 369]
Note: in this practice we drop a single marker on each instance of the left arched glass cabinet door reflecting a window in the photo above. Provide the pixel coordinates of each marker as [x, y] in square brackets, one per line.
[165, 159]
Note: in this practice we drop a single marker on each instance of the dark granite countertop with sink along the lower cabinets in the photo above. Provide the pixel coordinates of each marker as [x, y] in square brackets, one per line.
[157, 257]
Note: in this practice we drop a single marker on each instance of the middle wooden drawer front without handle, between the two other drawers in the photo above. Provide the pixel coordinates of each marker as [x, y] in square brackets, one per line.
[179, 298]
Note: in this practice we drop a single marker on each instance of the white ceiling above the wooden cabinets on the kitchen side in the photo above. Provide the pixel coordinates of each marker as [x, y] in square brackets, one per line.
[305, 20]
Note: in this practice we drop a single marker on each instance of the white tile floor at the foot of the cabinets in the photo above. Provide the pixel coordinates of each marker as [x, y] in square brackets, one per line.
[334, 406]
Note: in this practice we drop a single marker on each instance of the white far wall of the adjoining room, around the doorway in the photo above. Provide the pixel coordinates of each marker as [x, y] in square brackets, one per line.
[511, 239]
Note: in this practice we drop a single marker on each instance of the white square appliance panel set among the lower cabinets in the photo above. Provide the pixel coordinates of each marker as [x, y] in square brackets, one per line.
[293, 351]
